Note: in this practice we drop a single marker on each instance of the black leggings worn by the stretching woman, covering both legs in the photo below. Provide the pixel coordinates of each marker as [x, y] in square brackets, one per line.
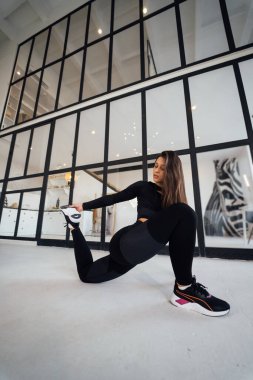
[139, 242]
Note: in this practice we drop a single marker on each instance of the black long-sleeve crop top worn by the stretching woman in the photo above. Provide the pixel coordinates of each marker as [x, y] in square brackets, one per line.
[147, 193]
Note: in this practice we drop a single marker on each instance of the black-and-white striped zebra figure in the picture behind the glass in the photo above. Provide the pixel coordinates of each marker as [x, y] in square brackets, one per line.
[223, 214]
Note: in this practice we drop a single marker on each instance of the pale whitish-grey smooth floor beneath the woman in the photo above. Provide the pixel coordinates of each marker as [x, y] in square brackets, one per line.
[53, 327]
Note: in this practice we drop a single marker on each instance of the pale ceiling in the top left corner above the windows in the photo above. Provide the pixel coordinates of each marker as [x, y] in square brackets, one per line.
[20, 19]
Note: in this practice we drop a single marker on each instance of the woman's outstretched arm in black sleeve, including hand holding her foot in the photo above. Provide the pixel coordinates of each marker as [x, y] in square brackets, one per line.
[130, 192]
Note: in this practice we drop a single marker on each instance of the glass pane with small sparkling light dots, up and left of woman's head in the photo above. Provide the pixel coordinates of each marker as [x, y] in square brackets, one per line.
[125, 128]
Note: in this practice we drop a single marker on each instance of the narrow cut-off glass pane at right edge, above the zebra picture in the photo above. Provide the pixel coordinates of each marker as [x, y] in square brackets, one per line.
[246, 68]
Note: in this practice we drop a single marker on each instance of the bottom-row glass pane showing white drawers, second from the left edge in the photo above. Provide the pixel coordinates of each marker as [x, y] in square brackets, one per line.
[29, 214]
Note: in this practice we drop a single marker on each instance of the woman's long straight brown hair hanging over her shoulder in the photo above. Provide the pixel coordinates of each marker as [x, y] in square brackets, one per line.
[173, 190]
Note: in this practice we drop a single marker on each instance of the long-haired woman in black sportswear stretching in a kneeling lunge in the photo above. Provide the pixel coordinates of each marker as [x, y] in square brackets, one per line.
[163, 216]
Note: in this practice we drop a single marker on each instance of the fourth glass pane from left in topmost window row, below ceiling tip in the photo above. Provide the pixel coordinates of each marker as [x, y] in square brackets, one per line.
[77, 30]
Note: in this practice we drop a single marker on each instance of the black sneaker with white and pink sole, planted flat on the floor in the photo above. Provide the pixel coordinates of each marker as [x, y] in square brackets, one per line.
[197, 298]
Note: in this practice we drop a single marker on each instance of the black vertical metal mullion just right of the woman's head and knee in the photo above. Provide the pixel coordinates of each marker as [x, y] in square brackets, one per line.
[194, 165]
